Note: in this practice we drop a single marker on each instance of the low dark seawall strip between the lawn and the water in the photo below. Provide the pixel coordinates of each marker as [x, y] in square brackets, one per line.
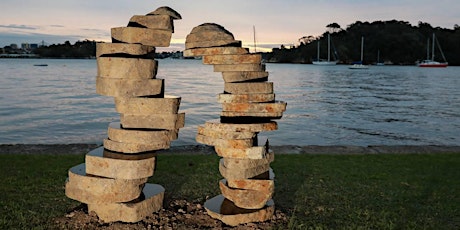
[62, 149]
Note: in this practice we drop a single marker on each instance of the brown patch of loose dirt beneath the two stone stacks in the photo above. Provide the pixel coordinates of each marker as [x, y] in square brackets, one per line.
[178, 214]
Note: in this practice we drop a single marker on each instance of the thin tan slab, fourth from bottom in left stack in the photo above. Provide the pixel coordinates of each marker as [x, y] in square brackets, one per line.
[126, 147]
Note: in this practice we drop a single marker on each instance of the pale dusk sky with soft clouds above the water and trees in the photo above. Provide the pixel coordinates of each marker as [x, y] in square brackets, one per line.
[276, 22]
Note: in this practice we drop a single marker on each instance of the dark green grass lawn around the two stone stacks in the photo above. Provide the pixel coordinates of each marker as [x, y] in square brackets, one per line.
[416, 191]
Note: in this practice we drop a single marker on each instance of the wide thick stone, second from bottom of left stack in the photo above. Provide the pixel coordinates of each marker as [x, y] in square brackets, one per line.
[93, 189]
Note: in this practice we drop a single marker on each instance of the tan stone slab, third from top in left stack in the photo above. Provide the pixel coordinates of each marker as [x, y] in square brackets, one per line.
[144, 36]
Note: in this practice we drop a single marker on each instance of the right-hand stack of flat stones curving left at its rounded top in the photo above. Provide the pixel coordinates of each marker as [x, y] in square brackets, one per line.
[248, 108]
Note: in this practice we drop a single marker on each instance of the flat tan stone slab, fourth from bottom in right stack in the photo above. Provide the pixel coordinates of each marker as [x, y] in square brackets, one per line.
[241, 173]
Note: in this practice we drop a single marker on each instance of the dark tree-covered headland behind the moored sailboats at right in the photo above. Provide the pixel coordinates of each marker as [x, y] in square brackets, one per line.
[397, 42]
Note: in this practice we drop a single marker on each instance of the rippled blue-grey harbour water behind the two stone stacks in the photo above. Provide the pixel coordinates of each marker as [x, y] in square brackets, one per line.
[327, 105]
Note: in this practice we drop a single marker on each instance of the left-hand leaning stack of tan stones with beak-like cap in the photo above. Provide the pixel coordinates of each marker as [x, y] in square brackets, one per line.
[112, 181]
